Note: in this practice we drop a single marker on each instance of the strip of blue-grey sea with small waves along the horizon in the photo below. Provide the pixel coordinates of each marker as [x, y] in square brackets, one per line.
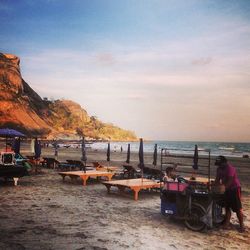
[216, 148]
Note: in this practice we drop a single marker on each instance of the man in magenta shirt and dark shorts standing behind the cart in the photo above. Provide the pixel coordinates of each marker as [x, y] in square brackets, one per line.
[226, 175]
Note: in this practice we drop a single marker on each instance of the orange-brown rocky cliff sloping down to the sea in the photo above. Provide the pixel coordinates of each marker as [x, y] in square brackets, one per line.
[22, 108]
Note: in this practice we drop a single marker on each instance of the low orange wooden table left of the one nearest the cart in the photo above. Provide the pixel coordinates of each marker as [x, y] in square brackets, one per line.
[87, 175]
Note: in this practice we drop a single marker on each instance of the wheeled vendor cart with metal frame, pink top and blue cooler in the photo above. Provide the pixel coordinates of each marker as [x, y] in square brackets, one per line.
[190, 198]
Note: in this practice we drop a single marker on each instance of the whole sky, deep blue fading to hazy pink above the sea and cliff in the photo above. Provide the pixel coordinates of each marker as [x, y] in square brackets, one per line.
[165, 69]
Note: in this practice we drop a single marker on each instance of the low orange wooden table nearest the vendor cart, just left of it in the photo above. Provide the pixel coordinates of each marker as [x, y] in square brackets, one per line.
[134, 184]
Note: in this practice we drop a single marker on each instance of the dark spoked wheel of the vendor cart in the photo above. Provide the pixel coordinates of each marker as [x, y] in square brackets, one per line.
[192, 217]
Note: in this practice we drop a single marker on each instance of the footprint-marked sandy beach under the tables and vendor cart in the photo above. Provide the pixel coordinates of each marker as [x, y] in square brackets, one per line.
[43, 212]
